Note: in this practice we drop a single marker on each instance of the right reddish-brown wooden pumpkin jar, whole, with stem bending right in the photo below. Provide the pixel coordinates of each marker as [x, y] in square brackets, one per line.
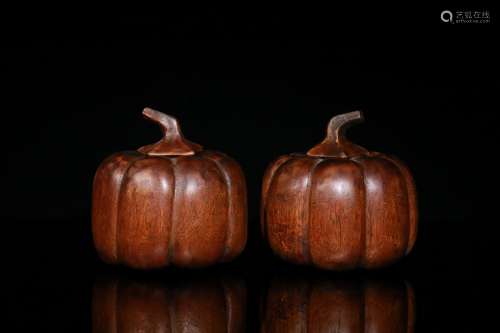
[339, 206]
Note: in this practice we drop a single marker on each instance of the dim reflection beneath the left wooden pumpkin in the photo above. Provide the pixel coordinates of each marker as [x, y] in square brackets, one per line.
[212, 305]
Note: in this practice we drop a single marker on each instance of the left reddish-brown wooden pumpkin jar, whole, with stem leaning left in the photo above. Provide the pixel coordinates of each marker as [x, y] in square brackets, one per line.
[169, 203]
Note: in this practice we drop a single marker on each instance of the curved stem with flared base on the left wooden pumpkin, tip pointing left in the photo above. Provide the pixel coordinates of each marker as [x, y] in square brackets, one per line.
[173, 142]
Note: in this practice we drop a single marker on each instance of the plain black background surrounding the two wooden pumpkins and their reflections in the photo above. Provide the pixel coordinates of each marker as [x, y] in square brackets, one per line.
[255, 83]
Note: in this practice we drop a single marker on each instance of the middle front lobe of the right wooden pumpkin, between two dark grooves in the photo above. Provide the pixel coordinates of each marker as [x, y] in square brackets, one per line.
[333, 201]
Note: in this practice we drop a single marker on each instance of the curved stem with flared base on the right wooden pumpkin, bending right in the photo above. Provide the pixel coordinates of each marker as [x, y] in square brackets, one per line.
[335, 144]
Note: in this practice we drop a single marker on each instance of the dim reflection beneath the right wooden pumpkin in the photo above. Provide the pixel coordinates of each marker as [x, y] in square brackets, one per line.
[338, 306]
